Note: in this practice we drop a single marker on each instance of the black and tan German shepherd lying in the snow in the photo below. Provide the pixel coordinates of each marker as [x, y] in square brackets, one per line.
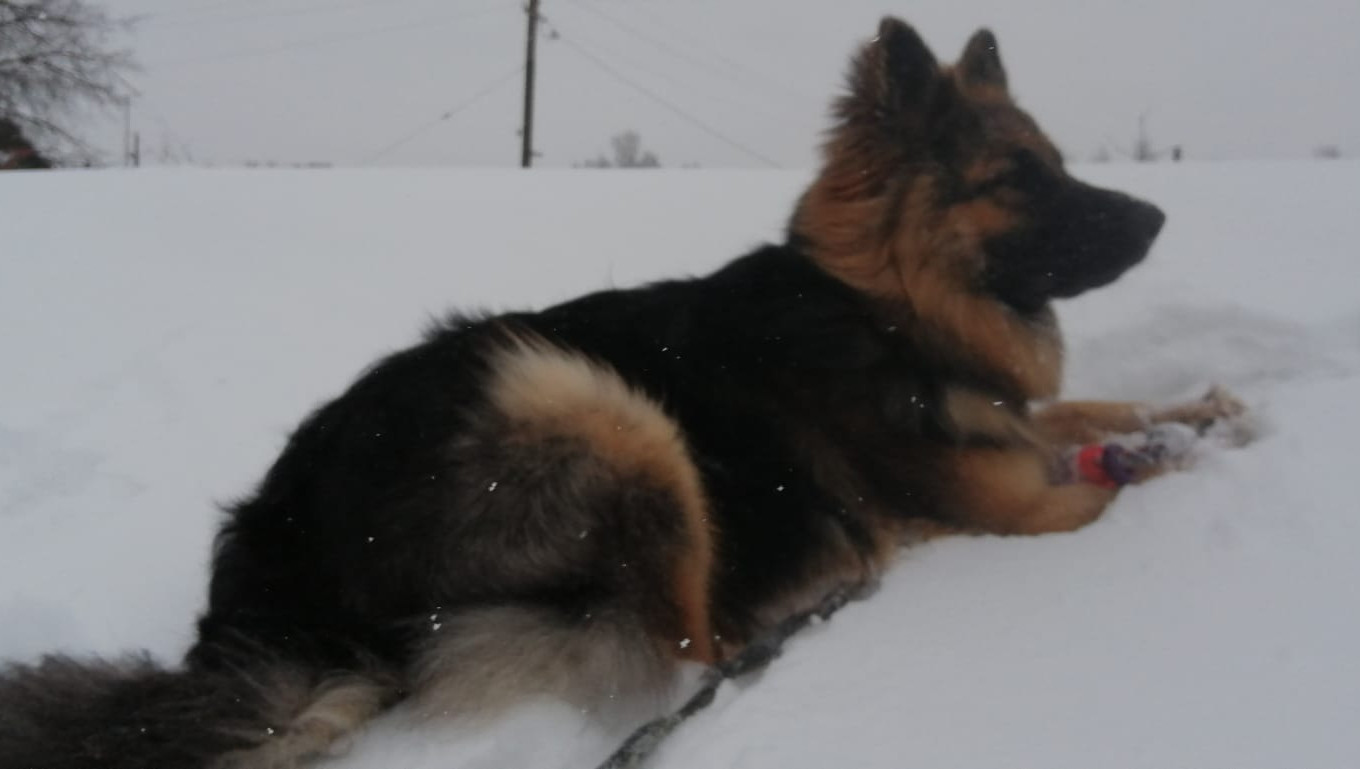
[579, 500]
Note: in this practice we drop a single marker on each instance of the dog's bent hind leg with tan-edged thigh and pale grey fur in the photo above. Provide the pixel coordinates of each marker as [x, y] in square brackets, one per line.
[580, 567]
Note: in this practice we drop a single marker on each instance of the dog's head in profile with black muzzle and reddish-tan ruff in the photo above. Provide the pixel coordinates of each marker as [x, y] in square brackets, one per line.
[936, 183]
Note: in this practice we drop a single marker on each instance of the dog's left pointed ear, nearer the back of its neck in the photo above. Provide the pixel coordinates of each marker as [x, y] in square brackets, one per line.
[894, 74]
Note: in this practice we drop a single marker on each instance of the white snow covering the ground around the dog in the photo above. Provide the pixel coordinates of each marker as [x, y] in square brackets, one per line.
[163, 331]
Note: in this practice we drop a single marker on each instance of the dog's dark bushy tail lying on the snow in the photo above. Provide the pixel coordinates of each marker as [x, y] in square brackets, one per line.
[131, 714]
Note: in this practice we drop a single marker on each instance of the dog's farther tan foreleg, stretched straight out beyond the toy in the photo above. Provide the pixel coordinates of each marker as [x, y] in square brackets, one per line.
[1091, 421]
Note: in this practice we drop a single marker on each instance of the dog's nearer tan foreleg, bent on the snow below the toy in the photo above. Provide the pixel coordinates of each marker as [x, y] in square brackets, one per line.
[1013, 492]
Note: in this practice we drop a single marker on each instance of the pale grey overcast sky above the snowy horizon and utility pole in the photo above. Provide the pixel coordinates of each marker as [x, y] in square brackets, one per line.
[716, 82]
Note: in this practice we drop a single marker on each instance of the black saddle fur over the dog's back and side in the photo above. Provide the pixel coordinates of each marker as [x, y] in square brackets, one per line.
[758, 363]
